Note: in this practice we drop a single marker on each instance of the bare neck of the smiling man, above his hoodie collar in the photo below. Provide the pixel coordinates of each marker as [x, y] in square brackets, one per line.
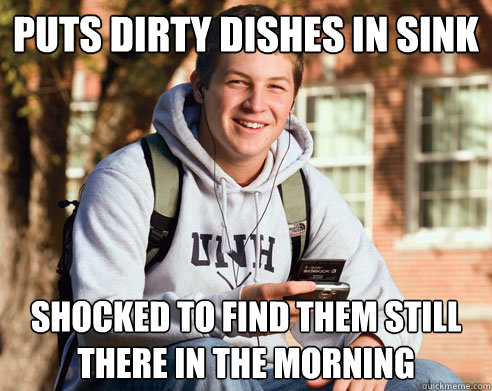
[239, 168]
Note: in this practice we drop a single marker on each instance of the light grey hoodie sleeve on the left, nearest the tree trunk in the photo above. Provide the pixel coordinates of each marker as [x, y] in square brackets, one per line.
[109, 247]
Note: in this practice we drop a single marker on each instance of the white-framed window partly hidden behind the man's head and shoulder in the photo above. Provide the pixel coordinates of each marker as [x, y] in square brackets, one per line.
[340, 120]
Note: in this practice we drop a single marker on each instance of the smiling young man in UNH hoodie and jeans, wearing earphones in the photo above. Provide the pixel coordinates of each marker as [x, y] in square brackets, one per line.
[233, 131]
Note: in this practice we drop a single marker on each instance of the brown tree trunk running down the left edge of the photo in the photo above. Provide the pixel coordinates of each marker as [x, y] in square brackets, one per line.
[34, 113]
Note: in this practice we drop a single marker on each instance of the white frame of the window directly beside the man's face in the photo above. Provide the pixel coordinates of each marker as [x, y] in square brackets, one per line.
[368, 161]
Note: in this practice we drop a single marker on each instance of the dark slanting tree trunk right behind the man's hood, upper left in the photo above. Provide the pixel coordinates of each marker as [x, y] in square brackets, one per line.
[132, 82]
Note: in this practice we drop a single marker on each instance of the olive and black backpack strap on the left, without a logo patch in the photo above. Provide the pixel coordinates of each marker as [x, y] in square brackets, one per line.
[166, 173]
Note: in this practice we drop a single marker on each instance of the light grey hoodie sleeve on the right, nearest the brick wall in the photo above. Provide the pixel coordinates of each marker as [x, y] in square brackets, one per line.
[337, 233]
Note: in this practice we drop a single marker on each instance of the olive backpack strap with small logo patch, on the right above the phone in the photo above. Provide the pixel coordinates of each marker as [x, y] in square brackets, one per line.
[294, 192]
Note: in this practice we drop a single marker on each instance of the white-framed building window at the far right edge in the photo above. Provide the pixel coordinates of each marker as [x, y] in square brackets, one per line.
[450, 154]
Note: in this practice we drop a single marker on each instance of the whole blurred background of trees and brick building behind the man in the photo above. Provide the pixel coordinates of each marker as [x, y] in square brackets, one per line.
[407, 138]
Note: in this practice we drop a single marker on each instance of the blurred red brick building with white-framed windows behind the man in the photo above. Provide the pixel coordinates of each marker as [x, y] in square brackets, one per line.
[407, 138]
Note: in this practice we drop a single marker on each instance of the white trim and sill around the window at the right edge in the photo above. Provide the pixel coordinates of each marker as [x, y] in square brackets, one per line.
[437, 238]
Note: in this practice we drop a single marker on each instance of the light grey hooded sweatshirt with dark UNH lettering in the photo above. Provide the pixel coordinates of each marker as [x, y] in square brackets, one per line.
[112, 225]
